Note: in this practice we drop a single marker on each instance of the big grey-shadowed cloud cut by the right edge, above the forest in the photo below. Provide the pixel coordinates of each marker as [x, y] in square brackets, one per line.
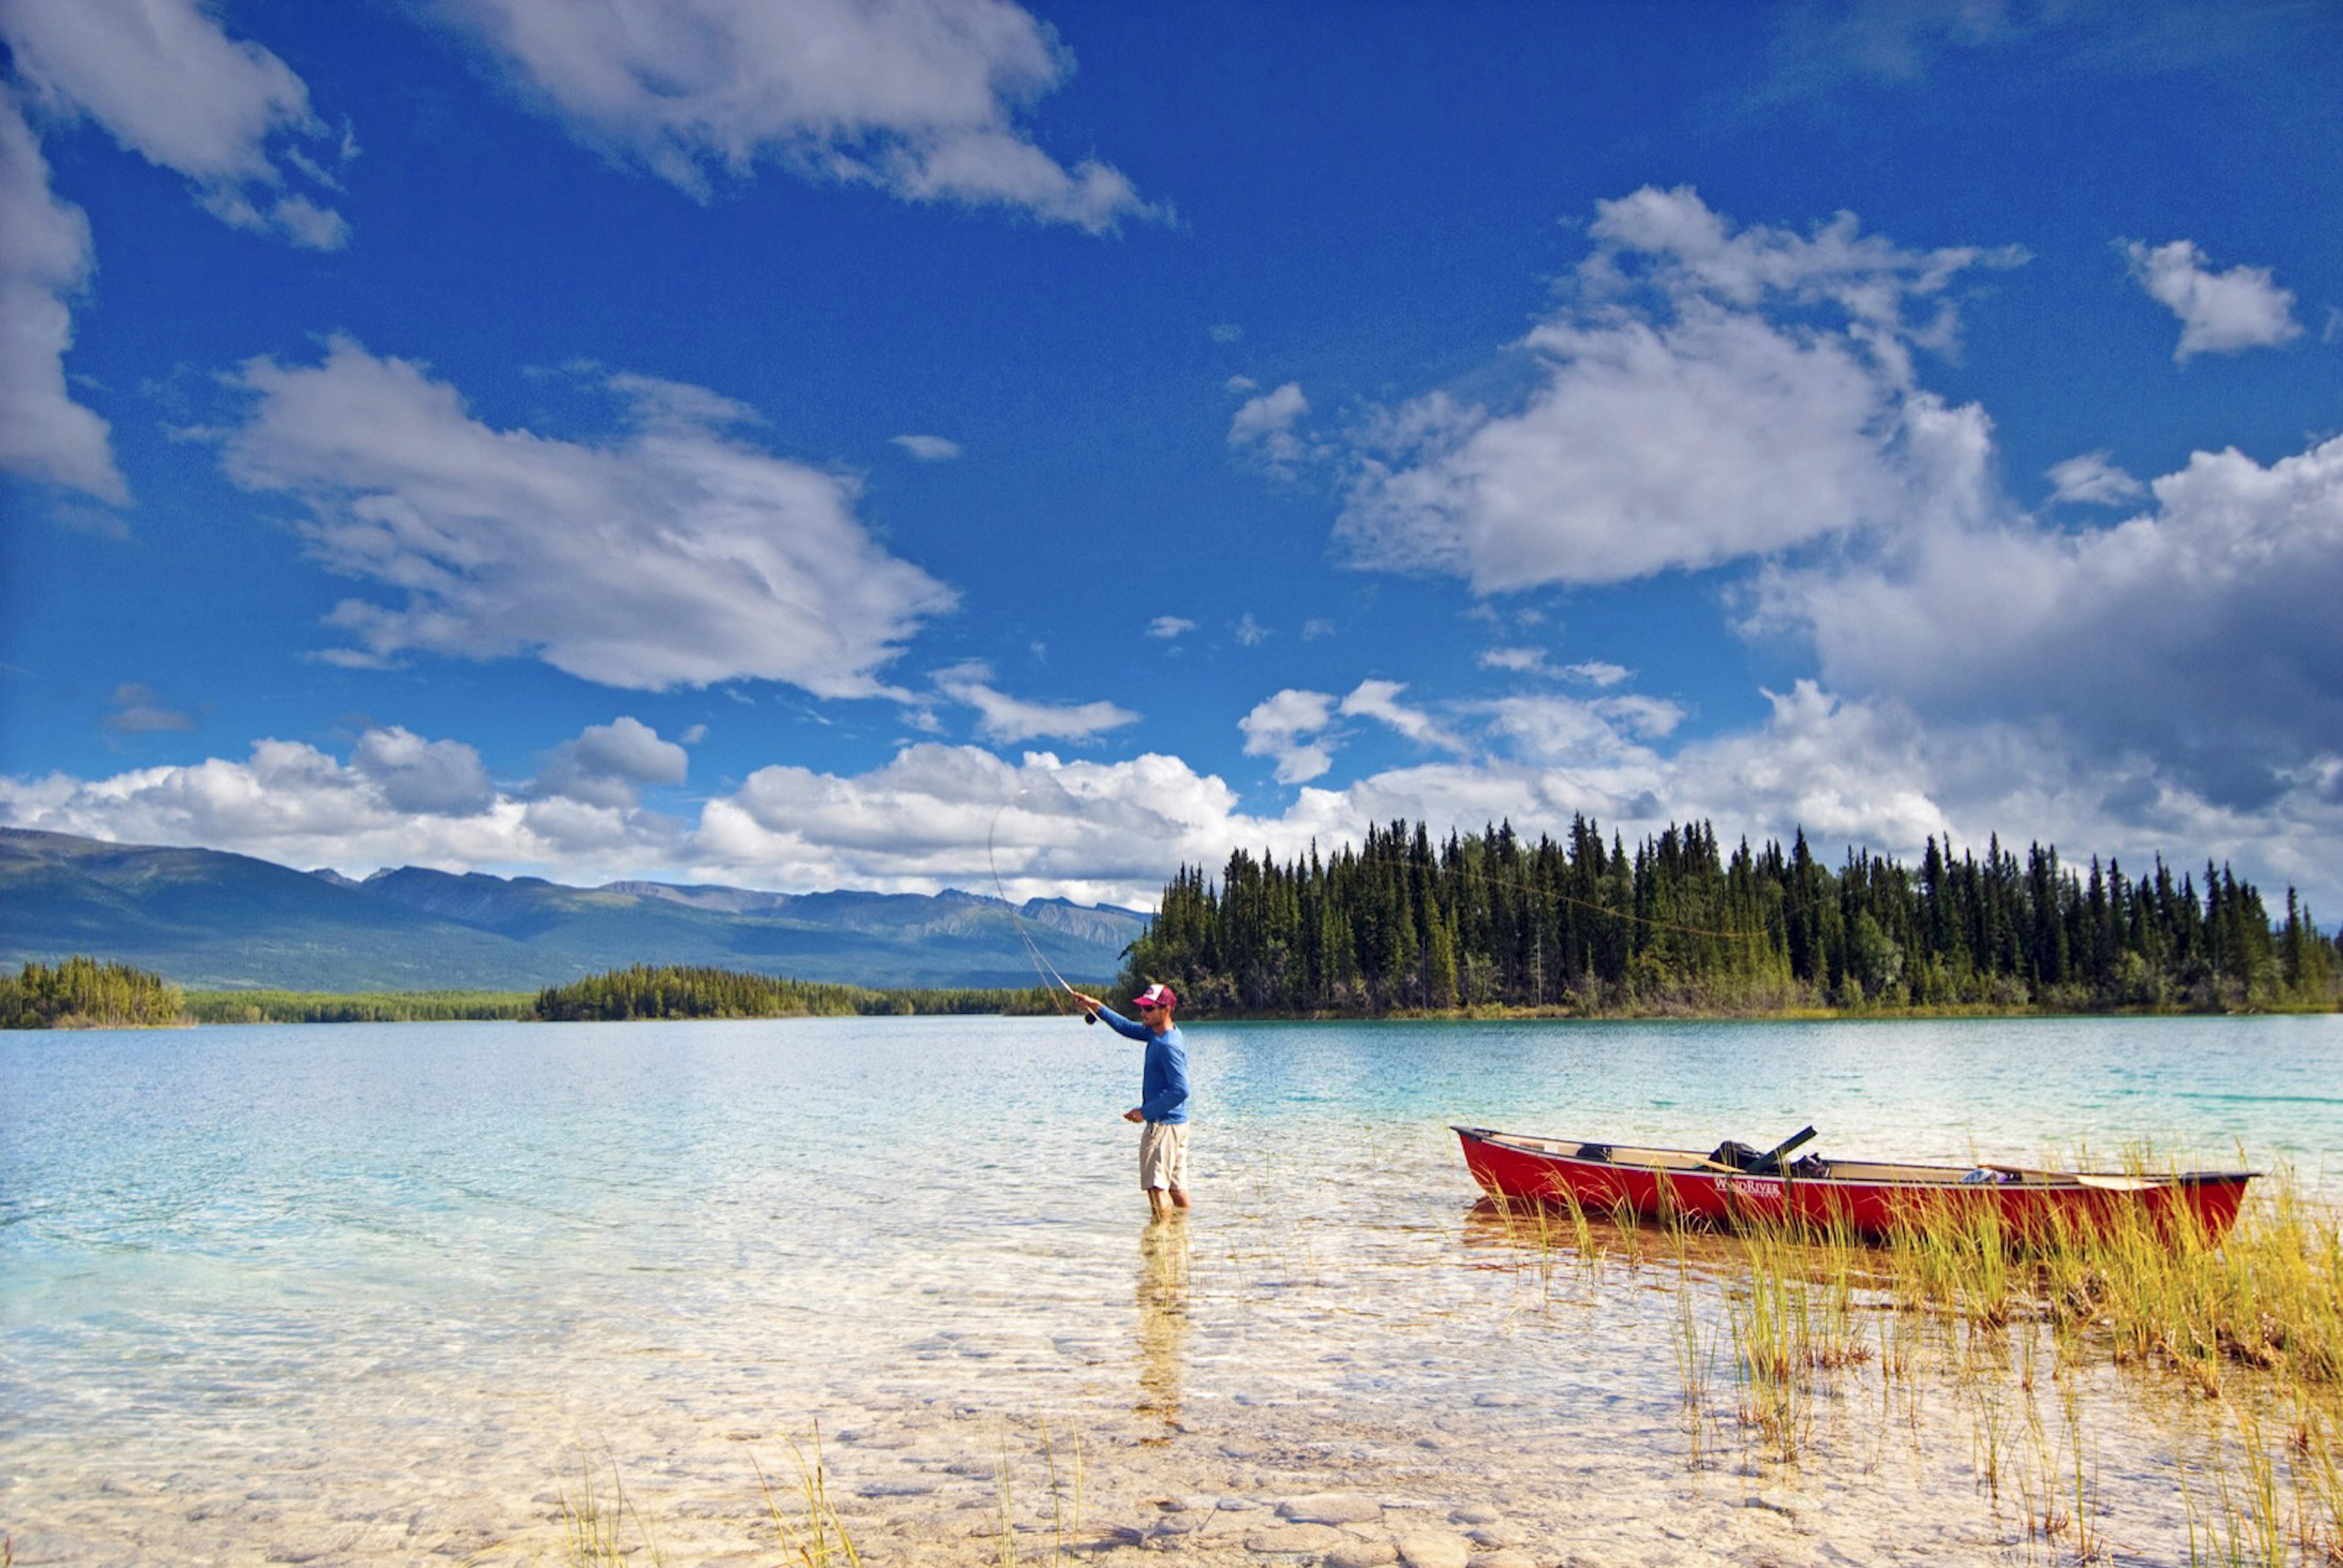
[2194, 639]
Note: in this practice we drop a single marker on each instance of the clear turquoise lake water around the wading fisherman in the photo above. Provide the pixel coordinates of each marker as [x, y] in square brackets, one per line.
[409, 1293]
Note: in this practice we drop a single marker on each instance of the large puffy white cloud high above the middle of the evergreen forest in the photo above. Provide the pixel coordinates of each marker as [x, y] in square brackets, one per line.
[1707, 395]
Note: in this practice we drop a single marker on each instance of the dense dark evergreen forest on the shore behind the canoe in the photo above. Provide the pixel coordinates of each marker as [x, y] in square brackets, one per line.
[1590, 927]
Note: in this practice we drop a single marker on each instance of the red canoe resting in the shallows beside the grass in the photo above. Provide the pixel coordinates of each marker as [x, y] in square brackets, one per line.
[1862, 1197]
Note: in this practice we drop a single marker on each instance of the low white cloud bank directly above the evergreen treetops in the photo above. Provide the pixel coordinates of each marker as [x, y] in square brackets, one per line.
[1847, 772]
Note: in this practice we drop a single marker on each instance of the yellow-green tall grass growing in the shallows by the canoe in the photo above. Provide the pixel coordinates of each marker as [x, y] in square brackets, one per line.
[2250, 1325]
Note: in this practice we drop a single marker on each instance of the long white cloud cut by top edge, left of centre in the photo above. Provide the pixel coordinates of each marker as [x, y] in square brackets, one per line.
[913, 97]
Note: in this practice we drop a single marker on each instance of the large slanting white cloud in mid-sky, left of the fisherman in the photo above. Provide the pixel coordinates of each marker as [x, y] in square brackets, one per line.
[660, 559]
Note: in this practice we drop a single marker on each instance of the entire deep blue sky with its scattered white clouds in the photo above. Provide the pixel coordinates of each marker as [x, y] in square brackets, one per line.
[812, 444]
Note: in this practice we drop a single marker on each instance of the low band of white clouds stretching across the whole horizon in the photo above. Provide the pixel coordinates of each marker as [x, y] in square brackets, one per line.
[1845, 770]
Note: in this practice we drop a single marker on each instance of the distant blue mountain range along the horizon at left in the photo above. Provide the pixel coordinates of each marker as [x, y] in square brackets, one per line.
[231, 922]
